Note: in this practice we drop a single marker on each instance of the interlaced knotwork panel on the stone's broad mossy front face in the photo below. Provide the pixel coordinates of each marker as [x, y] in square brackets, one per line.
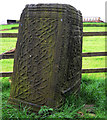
[34, 59]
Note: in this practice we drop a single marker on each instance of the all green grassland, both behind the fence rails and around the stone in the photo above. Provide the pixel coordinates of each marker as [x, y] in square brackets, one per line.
[92, 87]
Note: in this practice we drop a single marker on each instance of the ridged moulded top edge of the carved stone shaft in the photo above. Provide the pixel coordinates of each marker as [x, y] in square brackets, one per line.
[31, 9]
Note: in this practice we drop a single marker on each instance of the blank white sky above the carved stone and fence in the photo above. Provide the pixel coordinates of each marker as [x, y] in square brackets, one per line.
[12, 9]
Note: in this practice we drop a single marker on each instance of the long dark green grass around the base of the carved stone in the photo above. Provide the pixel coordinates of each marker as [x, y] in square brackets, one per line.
[92, 93]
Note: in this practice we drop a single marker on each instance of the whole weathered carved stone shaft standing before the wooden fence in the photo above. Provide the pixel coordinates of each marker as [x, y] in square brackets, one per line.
[48, 60]
